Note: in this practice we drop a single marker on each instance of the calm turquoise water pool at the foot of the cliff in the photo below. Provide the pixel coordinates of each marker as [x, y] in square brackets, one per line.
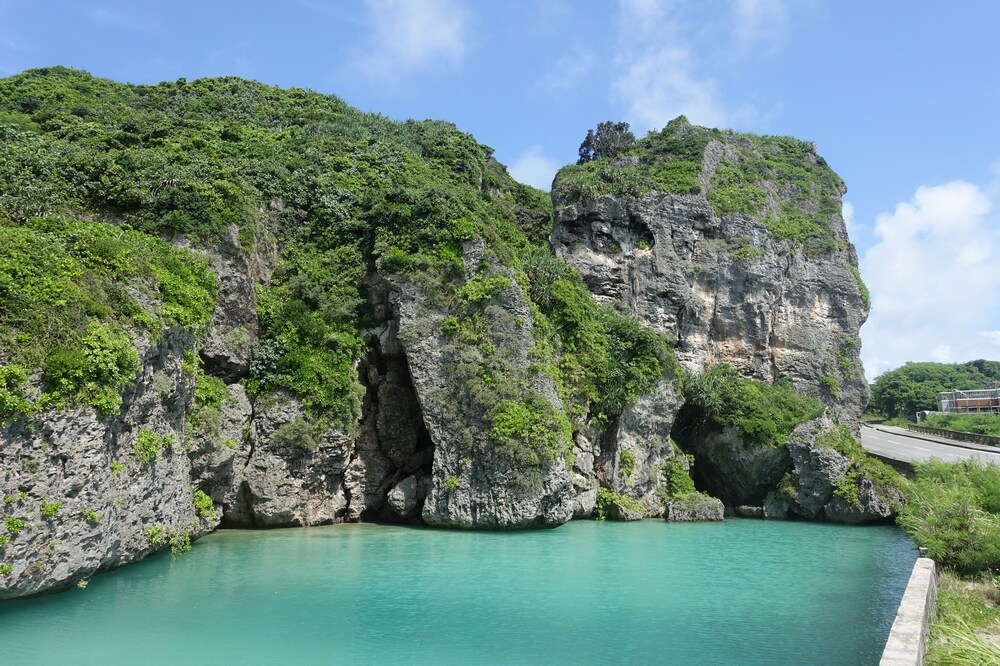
[740, 592]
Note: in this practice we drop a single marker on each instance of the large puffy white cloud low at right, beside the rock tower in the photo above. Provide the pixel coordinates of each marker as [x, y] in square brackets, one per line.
[933, 275]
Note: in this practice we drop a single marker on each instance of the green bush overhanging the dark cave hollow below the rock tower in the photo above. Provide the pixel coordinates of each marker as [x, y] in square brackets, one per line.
[764, 414]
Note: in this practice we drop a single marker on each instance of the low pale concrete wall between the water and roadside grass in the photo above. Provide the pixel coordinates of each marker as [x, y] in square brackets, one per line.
[908, 637]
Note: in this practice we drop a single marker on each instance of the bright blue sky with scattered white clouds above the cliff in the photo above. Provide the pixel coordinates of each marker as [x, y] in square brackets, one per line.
[901, 96]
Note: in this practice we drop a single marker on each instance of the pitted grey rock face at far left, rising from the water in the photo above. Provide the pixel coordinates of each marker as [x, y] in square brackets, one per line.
[85, 500]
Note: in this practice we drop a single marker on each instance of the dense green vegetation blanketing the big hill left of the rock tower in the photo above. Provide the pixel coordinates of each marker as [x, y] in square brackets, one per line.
[335, 195]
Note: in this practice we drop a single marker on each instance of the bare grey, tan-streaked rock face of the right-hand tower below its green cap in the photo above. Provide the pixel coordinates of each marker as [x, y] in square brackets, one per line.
[726, 288]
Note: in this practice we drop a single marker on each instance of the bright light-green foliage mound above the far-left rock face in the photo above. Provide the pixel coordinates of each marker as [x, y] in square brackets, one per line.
[65, 307]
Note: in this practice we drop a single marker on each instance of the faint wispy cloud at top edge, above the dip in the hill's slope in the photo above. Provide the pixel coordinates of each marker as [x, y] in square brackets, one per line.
[413, 35]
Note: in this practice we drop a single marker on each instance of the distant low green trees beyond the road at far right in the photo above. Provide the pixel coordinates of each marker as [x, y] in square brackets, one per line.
[914, 387]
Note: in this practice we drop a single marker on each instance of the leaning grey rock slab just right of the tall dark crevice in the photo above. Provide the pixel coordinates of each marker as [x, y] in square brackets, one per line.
[472, 485]
